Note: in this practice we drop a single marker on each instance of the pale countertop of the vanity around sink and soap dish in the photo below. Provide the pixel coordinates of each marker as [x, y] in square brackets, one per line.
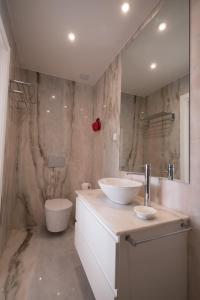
[121, 219]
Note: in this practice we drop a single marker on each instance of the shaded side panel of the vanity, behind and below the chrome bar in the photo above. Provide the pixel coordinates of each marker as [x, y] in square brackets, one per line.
[156, 270]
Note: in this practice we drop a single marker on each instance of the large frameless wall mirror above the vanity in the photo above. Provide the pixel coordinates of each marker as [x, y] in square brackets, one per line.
[155, 95]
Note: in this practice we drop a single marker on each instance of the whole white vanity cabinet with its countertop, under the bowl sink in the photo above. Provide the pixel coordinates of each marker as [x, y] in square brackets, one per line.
[118, 269]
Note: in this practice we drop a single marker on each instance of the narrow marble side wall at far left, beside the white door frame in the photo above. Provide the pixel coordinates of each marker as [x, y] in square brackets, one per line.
[9, 173]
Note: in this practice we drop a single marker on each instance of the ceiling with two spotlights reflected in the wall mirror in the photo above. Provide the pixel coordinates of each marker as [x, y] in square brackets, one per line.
[169, 49]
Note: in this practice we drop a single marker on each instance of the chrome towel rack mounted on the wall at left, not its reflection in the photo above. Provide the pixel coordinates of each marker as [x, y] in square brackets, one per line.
[24, 94]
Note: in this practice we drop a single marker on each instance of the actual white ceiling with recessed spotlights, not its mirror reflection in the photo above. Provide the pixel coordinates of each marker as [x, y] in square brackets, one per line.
[41, 27]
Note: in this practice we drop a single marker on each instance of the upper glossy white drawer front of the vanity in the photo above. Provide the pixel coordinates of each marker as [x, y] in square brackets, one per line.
[101, 242]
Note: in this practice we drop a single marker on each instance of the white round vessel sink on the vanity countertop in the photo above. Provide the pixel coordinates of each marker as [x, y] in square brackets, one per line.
[120, 190]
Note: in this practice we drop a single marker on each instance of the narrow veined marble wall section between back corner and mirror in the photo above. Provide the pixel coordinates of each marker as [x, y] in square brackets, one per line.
[107, 108]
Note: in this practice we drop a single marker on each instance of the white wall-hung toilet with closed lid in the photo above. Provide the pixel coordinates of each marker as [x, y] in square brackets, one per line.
[57, 213]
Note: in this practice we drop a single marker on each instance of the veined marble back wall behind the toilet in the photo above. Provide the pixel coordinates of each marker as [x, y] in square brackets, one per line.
[54, 153]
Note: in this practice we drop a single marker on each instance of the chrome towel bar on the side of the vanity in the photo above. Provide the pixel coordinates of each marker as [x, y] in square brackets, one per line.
[134, 243]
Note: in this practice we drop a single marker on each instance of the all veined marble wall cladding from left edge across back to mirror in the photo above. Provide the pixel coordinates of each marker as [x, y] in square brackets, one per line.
[56, 130]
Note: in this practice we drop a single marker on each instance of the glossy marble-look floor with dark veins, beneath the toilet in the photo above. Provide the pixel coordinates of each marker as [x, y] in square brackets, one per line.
[37, 265]
